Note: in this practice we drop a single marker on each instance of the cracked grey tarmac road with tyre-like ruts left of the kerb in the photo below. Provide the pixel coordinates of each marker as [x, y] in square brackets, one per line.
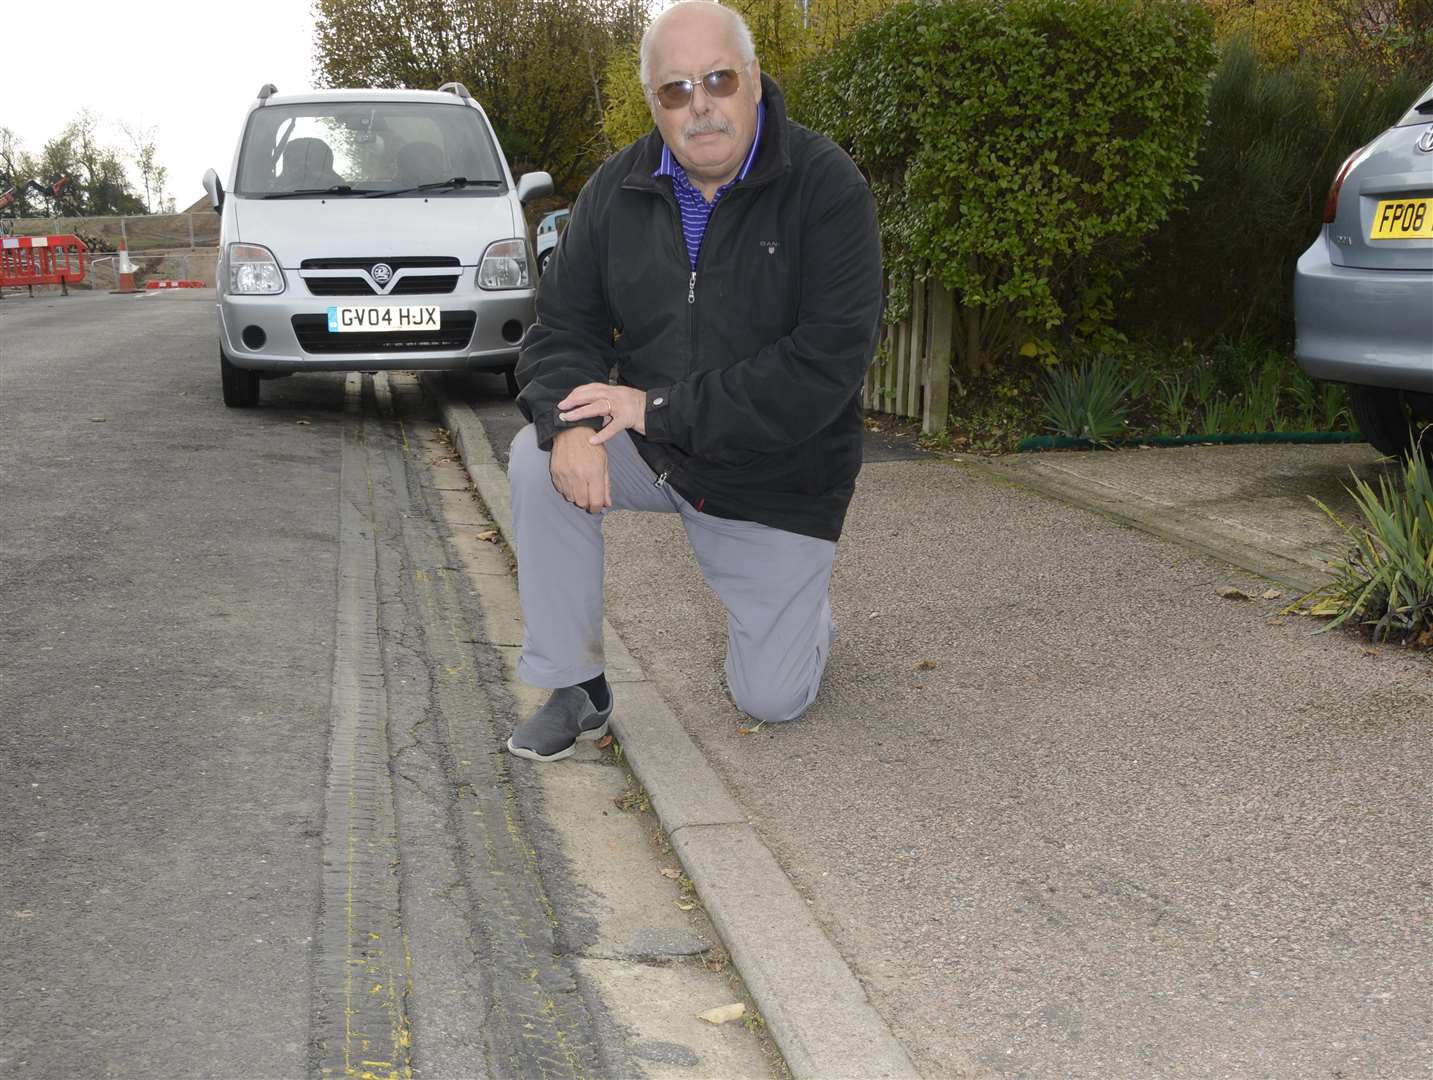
[253, 804]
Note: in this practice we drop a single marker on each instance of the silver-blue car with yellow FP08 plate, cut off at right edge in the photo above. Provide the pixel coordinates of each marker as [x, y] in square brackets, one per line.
[1363, 293]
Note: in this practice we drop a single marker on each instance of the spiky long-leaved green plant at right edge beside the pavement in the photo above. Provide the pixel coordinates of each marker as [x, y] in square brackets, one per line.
[1386, 579]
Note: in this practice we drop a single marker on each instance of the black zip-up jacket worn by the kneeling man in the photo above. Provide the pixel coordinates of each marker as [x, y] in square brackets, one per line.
[754, 363]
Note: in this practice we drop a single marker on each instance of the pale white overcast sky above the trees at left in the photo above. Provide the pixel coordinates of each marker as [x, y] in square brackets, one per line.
[188, 71]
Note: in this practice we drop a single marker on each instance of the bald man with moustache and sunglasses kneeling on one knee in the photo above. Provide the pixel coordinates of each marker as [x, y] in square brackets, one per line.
[703, 334]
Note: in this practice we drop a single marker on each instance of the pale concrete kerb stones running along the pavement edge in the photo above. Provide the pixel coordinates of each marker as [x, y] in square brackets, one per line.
[815, 1008]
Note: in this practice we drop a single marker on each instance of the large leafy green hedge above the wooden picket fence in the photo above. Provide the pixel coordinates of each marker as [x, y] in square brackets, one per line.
[1020, 151]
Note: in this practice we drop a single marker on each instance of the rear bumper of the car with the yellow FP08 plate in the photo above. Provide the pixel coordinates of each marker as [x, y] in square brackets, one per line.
[1366, 327]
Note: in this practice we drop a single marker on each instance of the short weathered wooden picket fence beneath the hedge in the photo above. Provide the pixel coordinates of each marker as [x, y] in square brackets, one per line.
[911, 376]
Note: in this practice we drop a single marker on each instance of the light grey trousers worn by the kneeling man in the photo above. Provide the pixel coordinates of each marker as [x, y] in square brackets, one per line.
[773, 584]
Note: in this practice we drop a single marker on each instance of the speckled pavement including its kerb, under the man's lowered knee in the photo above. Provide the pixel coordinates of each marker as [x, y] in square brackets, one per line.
[1063, 809]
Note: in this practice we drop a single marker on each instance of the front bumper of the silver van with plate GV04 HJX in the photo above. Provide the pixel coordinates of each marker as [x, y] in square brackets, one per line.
[479, 332]
